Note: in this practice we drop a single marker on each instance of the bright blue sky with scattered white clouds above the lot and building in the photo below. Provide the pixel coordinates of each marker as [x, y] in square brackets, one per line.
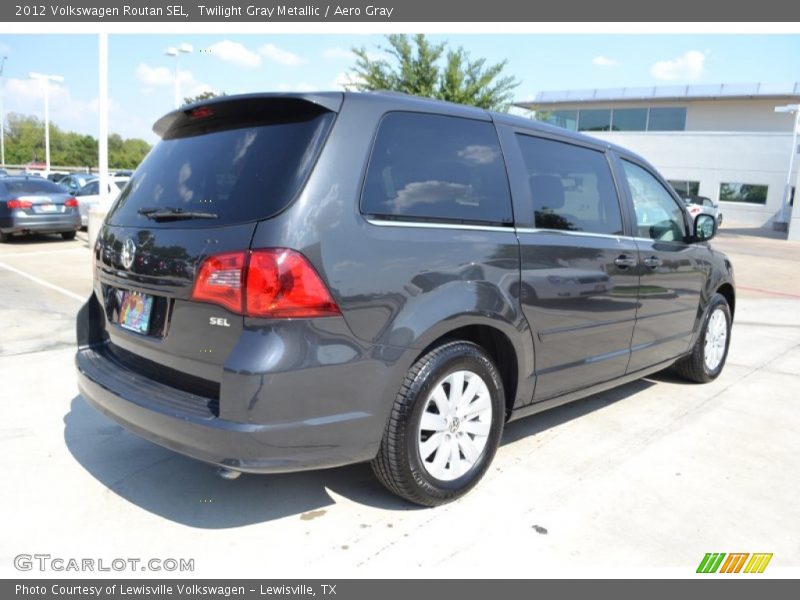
[141, 76]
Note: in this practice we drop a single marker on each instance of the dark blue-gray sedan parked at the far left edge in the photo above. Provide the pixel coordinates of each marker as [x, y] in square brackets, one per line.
[35, 205]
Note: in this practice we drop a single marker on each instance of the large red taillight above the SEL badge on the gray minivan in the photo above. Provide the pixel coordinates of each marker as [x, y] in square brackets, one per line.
[268, 283]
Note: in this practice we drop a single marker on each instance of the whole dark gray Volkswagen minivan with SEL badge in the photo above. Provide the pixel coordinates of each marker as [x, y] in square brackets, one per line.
[297, 281]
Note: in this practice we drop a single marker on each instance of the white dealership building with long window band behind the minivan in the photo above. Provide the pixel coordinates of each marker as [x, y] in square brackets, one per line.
[725, 142]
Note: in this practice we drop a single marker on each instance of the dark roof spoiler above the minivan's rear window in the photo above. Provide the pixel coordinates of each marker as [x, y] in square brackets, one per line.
[223, 110]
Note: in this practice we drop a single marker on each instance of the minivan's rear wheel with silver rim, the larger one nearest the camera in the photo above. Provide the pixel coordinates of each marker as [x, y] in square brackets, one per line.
[444, 427]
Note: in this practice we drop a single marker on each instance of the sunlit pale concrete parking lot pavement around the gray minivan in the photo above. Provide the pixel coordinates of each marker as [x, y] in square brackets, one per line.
[641, 480]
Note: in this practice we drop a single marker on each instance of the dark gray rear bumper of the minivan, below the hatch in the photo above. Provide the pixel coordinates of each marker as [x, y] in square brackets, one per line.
[183, 423]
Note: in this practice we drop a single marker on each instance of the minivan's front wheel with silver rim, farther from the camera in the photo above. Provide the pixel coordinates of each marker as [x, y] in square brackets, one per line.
[709, 353]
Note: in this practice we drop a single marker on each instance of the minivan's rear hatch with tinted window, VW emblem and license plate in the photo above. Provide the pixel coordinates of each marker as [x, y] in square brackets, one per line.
[220, 168]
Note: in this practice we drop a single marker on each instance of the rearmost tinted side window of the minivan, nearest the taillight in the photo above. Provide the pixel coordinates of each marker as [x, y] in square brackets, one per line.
[437, 167]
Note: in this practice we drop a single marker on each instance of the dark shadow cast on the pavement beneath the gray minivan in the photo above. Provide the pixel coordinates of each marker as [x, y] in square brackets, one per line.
[189, 492]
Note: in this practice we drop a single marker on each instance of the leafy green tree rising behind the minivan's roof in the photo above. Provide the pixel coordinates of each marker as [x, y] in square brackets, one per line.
[416, 66]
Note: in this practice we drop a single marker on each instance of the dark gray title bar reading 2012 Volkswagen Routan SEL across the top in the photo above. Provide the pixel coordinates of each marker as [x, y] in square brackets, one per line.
[385, 11]
